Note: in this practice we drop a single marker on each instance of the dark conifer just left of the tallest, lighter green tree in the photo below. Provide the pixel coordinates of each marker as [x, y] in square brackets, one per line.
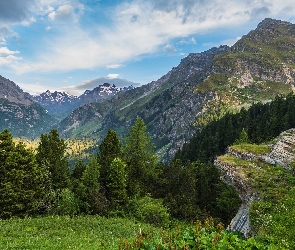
[109, 149]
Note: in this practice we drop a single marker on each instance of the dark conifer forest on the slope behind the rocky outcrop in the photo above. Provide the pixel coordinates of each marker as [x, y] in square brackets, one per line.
[261, 122]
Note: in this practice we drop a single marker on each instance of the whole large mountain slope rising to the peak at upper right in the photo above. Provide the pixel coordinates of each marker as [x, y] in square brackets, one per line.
[201, 88]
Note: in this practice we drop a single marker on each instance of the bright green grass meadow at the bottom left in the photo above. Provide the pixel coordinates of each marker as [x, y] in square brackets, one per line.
[62, 232]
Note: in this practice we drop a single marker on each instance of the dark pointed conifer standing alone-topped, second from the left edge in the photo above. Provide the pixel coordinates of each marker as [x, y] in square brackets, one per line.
[51, 155]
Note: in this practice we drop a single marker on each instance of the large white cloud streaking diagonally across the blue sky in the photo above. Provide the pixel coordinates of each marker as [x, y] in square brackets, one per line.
[138, 28]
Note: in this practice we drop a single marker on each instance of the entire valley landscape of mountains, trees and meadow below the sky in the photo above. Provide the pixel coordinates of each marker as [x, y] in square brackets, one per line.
[211, 142]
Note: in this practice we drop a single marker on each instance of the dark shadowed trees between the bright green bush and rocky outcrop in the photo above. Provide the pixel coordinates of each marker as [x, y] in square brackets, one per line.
[194, 190]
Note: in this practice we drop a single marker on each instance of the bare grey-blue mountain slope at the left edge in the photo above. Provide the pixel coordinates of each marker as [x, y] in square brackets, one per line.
[19, 114]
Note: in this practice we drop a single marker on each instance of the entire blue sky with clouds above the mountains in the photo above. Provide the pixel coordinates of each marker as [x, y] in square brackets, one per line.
[74, 45]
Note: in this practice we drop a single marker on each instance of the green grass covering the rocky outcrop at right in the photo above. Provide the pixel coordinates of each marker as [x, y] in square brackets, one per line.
[273, 217]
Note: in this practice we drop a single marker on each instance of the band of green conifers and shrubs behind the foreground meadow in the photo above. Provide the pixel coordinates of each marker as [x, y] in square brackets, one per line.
[123, 178]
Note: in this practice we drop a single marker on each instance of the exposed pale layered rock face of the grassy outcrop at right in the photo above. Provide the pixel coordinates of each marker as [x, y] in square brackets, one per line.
[282, 152]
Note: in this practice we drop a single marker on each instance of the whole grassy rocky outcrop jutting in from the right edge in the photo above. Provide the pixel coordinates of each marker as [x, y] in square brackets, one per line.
[264, 178]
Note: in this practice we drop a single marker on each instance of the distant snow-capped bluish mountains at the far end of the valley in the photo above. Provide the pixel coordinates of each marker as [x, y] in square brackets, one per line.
[61, 104]
